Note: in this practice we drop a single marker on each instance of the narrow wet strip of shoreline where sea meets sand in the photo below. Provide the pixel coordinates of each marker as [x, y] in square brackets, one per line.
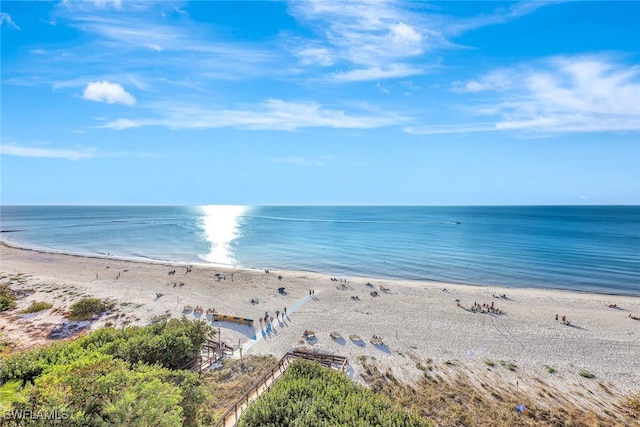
[146, 260]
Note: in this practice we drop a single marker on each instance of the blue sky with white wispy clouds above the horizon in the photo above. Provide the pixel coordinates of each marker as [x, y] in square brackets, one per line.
[320, 102]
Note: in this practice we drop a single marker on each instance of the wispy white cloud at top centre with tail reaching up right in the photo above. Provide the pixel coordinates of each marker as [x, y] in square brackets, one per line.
[372, 40]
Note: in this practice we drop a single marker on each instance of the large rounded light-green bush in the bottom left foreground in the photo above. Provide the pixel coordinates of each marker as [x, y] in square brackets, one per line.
[97, 389]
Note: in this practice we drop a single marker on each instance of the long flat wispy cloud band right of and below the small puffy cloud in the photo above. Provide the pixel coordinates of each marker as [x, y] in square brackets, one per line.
[272, 114]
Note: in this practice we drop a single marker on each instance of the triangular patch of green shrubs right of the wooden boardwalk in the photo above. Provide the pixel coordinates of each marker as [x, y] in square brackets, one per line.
[309, 395]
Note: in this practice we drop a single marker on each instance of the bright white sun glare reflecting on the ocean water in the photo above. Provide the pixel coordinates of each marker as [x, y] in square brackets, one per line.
[221, 224]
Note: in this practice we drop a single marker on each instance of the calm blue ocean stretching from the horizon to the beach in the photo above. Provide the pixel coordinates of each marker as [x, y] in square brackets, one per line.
[594, 248]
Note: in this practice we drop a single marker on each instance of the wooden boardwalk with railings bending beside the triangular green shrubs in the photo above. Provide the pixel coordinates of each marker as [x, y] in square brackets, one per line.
[234, 412]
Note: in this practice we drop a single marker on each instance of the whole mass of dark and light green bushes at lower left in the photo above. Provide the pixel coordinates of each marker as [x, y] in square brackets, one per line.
[114, 377]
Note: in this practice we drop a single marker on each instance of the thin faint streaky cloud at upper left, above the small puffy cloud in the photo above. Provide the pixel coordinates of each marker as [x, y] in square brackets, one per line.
[157, 37]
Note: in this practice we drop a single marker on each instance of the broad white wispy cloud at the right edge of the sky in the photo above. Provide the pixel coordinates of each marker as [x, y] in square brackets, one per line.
[591, 93]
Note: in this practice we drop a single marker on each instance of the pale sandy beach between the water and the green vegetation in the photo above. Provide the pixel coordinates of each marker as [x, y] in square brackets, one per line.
[419, 322]
